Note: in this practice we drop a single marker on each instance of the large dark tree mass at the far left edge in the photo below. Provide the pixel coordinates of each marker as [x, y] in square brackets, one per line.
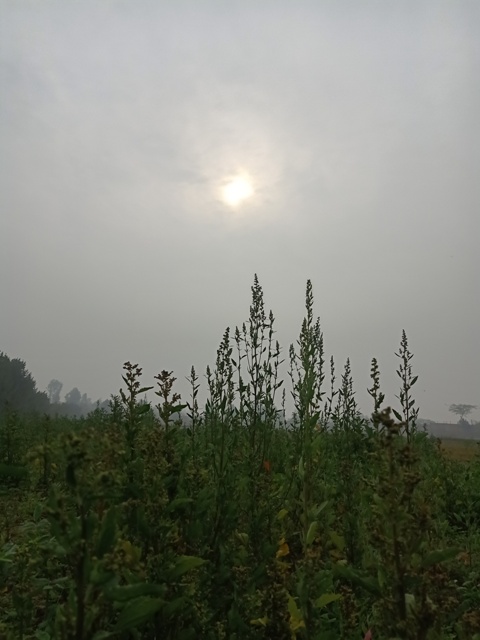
[18, 389]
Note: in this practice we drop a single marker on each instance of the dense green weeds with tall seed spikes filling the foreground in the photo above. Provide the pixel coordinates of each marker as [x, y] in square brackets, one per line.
[235, 522]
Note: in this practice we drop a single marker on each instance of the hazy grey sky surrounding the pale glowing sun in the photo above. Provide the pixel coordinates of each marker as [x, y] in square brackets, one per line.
[358, 125]
